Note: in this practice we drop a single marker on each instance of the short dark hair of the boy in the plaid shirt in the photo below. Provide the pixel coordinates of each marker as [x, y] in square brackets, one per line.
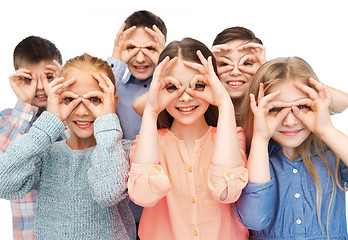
[35, 49]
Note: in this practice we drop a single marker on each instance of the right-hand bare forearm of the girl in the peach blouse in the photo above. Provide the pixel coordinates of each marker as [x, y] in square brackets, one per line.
[227, 152]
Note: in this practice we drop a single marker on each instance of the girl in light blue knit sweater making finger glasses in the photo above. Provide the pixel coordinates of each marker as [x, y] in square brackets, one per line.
[81, 181]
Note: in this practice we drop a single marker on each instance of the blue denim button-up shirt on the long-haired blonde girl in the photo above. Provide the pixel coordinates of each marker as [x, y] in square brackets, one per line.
[285, 207]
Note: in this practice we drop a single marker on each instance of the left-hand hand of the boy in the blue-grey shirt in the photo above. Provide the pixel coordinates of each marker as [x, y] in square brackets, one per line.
[121, 50]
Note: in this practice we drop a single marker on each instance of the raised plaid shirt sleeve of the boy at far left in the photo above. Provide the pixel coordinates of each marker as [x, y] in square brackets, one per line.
[15, 122]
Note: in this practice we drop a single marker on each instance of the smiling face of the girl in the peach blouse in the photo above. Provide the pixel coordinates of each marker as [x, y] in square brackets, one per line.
[186, 110]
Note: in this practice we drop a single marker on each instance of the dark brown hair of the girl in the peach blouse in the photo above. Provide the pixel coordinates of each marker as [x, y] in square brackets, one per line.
[187, 50]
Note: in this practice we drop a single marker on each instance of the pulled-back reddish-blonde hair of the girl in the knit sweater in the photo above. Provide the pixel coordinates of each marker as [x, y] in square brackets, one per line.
[87, 62]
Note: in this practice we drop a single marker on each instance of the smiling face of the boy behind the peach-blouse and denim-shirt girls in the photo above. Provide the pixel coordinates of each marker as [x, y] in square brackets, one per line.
[235, 81]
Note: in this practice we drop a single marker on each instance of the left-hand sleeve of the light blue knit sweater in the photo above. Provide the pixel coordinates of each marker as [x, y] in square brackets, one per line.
[20, 165]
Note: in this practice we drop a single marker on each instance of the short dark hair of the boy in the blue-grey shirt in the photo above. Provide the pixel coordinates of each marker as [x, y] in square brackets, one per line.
[145, 18]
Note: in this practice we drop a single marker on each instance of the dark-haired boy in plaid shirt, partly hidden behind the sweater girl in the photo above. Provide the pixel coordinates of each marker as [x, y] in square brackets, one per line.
[31, 57]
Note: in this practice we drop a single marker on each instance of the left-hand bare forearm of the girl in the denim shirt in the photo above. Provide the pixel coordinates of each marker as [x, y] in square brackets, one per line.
[258, 161]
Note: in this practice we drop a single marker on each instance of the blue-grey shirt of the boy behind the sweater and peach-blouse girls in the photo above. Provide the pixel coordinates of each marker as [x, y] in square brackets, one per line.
[128, 89]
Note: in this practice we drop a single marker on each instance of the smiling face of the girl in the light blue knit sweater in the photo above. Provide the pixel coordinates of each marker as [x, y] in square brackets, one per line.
[81, 120]
